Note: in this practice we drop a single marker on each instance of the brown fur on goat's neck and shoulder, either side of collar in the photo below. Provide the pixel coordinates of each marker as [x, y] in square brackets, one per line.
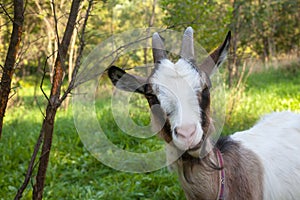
[243, 174]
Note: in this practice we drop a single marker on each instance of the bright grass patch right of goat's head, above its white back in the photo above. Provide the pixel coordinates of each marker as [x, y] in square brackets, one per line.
[267, 91]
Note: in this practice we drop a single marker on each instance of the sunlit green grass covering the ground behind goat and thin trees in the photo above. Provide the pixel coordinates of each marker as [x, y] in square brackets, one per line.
[74, 173]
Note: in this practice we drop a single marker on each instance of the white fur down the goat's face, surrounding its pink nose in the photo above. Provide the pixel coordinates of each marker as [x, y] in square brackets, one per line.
[176, 87]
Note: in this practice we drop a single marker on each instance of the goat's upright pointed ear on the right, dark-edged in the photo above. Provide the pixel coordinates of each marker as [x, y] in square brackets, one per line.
[217, 57]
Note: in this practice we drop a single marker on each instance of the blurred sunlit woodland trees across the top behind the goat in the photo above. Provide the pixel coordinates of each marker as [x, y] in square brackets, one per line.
[265, 30]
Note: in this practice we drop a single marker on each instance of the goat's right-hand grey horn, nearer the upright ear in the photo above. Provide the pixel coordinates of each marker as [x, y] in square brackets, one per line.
[187, 48]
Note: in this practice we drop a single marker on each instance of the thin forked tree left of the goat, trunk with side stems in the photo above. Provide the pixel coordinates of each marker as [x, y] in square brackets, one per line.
[54, 102]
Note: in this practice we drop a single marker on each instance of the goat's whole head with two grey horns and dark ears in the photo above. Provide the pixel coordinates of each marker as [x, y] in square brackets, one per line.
[180, 89]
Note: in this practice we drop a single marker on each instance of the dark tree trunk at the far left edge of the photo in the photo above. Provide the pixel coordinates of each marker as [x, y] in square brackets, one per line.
[10, 61]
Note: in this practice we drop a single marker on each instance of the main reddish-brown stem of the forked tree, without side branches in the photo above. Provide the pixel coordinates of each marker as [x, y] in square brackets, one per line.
[54, 102]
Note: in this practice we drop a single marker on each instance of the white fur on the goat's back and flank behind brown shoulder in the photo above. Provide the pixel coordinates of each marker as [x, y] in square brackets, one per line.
[276, 141]
